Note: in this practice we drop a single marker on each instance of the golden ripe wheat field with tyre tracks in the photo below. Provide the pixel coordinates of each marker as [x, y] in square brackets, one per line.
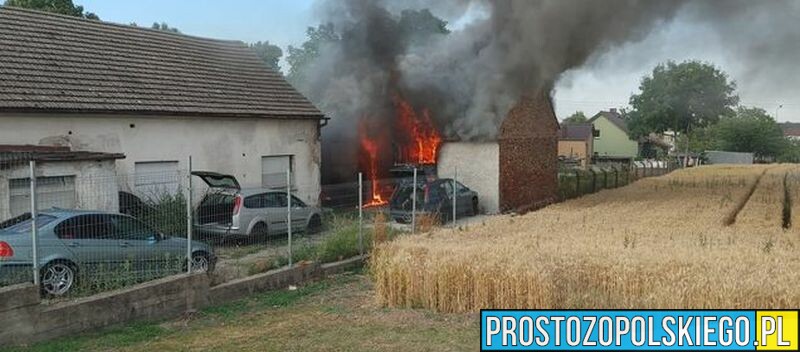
[707, 237]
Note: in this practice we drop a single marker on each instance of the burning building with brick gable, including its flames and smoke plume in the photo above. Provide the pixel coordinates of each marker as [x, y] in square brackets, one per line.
[404, 88]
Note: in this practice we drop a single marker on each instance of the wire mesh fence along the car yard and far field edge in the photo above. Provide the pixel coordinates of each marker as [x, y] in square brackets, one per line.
[97, 229]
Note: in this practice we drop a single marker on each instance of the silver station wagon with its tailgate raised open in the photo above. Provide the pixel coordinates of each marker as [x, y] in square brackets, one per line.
[228, 211]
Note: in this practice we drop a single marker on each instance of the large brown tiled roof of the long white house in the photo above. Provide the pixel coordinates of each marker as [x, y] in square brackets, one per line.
[55, 63]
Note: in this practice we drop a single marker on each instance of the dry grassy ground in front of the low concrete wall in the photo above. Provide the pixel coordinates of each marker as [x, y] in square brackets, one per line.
[337, 314]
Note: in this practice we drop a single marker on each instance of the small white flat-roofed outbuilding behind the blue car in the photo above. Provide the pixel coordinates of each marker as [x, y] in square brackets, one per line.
[64, 178]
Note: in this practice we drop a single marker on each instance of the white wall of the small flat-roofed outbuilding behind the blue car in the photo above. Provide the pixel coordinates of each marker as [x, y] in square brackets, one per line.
[96, 186]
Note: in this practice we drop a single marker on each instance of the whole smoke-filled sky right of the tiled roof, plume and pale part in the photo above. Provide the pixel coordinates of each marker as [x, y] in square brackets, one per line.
[502, 50]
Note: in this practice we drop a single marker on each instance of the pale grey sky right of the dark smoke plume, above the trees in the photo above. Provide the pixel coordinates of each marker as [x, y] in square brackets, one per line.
[755, 42]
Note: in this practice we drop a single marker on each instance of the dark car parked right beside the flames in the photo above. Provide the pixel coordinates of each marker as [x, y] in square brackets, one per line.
[434, 196]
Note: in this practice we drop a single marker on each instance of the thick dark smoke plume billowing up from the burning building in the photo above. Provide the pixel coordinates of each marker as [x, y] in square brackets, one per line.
[470, 78]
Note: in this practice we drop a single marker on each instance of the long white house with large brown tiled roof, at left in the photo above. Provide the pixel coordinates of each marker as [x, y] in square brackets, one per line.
[156, 96]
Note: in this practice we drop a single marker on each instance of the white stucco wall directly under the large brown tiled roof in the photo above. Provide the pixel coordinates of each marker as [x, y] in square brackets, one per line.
[226, 145]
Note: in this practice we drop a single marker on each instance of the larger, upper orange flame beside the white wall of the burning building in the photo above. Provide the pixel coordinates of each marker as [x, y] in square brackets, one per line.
[421, 138]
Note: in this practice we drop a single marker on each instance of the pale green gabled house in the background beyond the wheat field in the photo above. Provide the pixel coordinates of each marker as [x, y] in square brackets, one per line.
[612, 139]
